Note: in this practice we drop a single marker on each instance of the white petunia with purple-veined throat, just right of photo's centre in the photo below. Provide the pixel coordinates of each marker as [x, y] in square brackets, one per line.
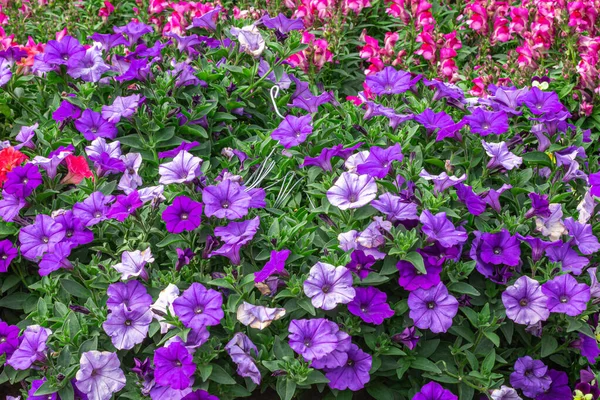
[352, 191]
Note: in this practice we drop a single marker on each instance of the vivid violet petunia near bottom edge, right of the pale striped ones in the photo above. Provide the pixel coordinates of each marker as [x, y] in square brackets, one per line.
[174, 366]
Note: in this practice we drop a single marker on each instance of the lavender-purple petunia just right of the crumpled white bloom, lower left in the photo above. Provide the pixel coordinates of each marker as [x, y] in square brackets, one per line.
[199, 307]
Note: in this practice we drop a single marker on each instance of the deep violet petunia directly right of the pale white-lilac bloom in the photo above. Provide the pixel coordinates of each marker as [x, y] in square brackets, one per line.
[370, 304]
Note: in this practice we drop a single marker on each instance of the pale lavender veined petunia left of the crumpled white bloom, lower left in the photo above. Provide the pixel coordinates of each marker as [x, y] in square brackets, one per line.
[127, 327]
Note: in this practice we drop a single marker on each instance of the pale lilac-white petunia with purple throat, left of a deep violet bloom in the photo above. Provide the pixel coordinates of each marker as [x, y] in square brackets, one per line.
[328, 286]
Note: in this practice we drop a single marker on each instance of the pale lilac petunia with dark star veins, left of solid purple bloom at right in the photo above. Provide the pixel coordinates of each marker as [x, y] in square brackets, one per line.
[525, 302]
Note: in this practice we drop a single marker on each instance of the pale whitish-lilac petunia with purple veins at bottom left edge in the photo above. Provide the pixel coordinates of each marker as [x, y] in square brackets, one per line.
[100, 375]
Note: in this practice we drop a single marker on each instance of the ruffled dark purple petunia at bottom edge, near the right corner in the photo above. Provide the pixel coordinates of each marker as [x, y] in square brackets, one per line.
[531, 376]
